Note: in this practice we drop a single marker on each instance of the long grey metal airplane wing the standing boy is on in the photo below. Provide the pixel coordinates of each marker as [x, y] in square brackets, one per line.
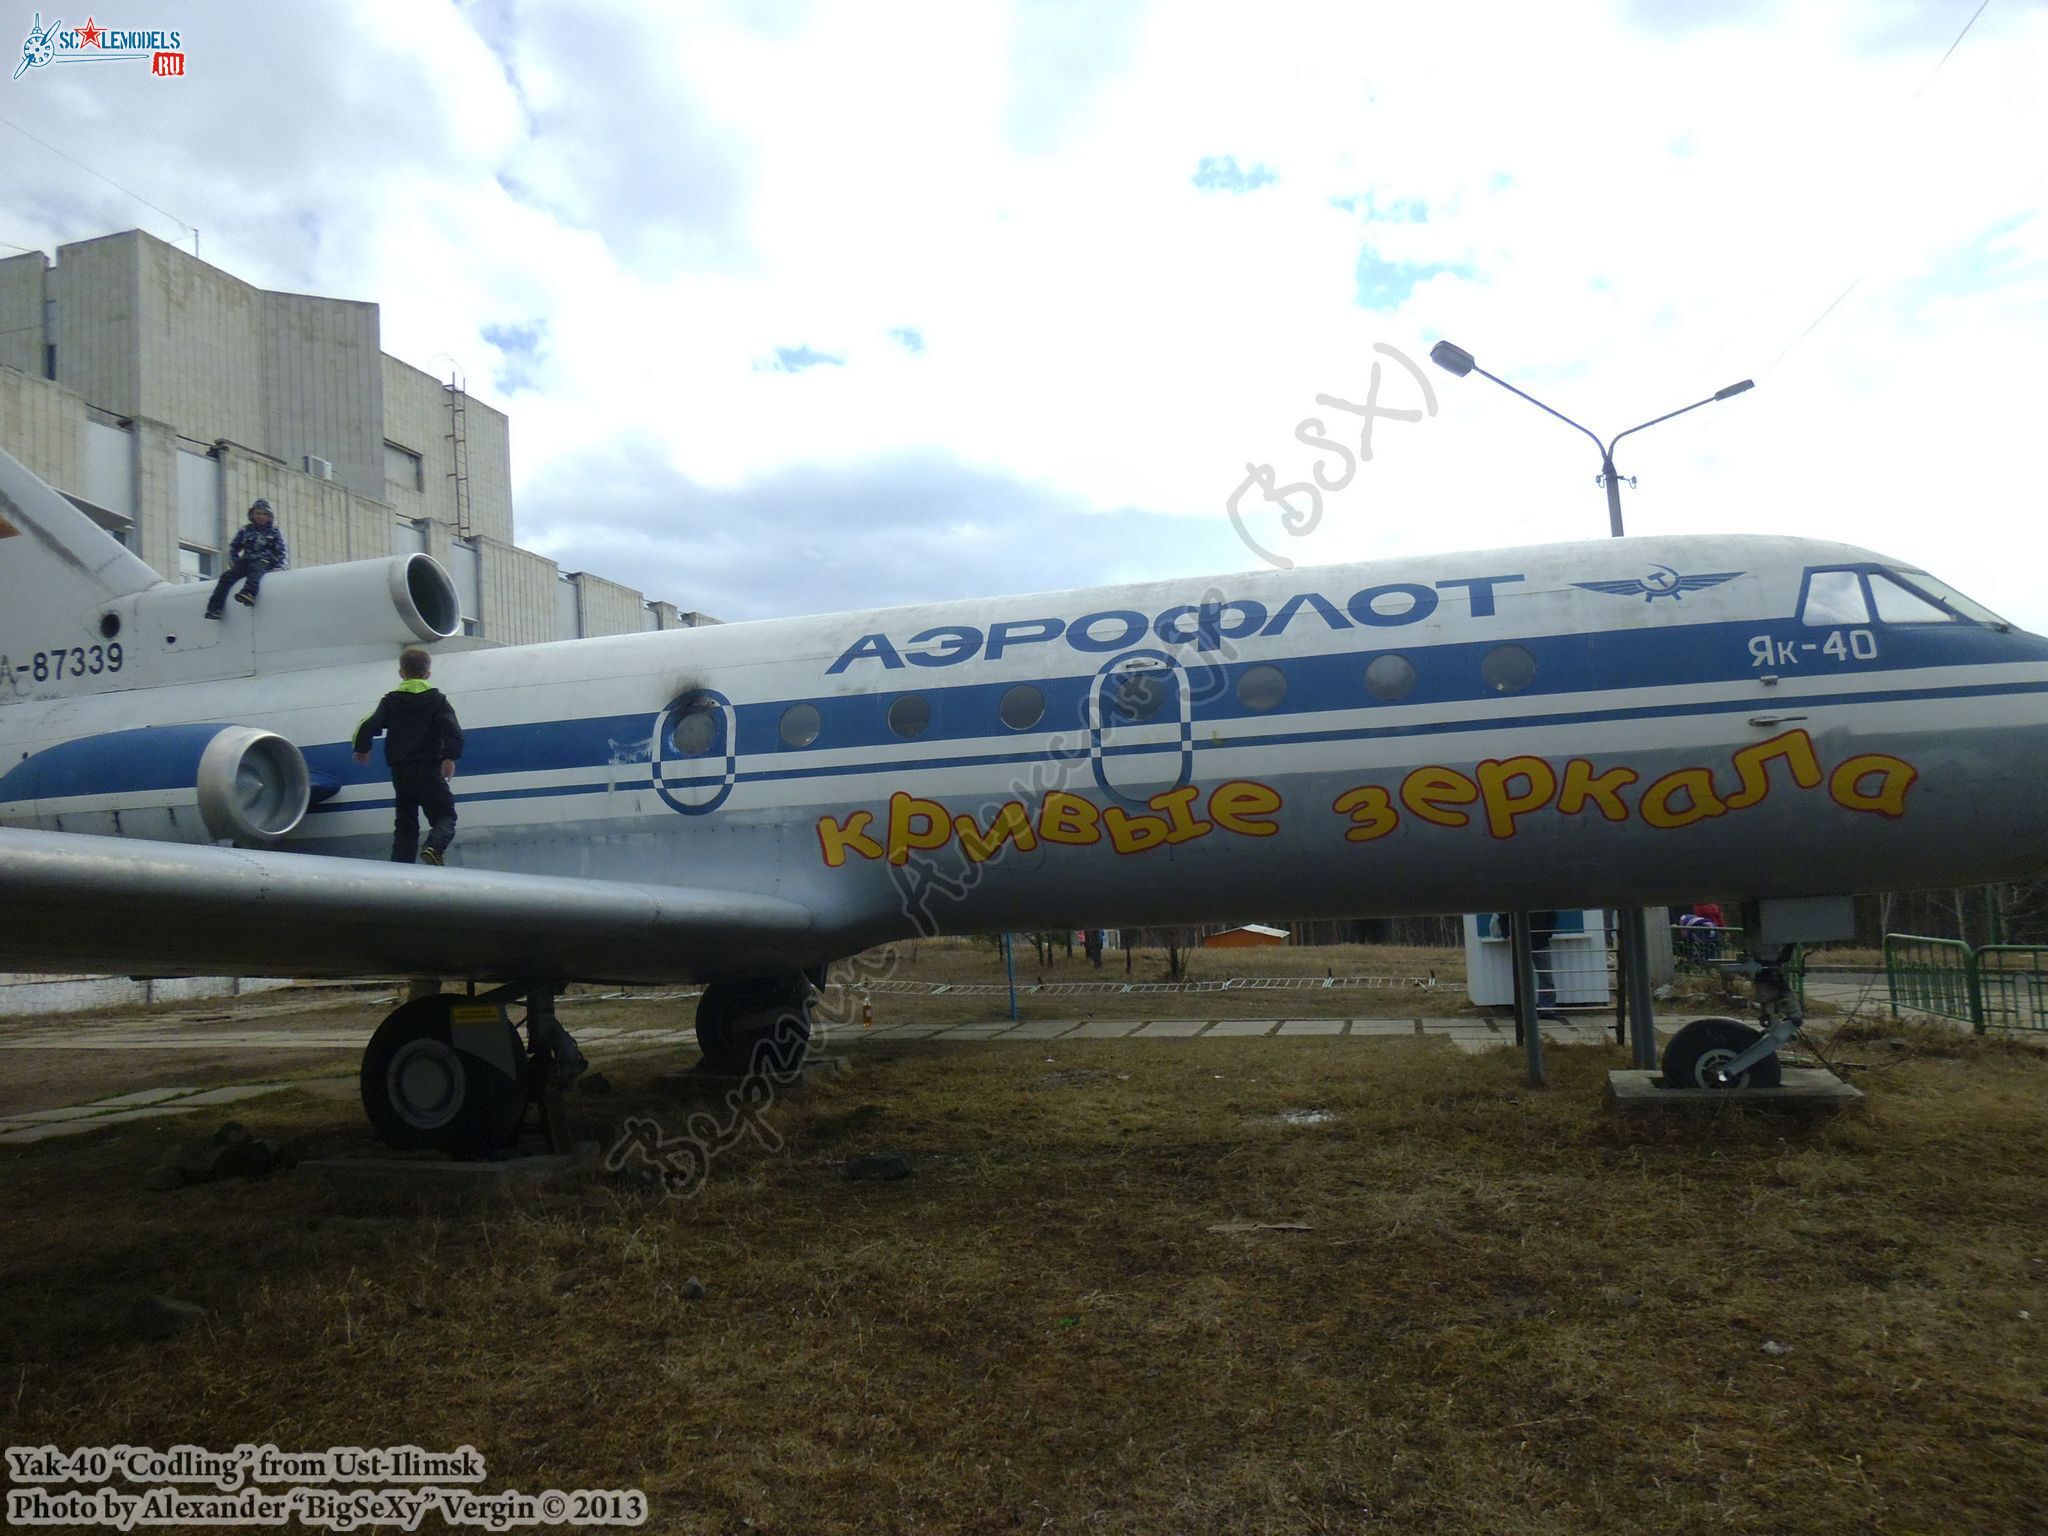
[124, 906]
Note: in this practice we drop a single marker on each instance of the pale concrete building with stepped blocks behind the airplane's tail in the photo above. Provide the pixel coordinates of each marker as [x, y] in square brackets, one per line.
[163, 396]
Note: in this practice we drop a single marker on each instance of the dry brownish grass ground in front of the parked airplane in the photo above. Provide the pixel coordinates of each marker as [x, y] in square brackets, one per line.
[1510, 1314]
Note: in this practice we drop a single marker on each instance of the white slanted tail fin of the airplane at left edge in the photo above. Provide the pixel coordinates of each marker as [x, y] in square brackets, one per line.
[58, 577]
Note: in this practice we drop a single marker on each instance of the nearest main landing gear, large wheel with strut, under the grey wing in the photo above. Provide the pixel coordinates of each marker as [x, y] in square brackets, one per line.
[452, 1072]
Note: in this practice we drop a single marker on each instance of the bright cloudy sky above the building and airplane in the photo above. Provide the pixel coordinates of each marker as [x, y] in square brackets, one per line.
[822, 306]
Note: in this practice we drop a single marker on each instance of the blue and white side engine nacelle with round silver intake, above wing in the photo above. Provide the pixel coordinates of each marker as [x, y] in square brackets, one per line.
[169, 783]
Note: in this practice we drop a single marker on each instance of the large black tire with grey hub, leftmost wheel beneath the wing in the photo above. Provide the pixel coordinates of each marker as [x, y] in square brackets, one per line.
[423, 1091]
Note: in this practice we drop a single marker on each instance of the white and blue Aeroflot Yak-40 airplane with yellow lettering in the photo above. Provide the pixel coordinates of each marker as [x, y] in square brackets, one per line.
[1566, 726]
